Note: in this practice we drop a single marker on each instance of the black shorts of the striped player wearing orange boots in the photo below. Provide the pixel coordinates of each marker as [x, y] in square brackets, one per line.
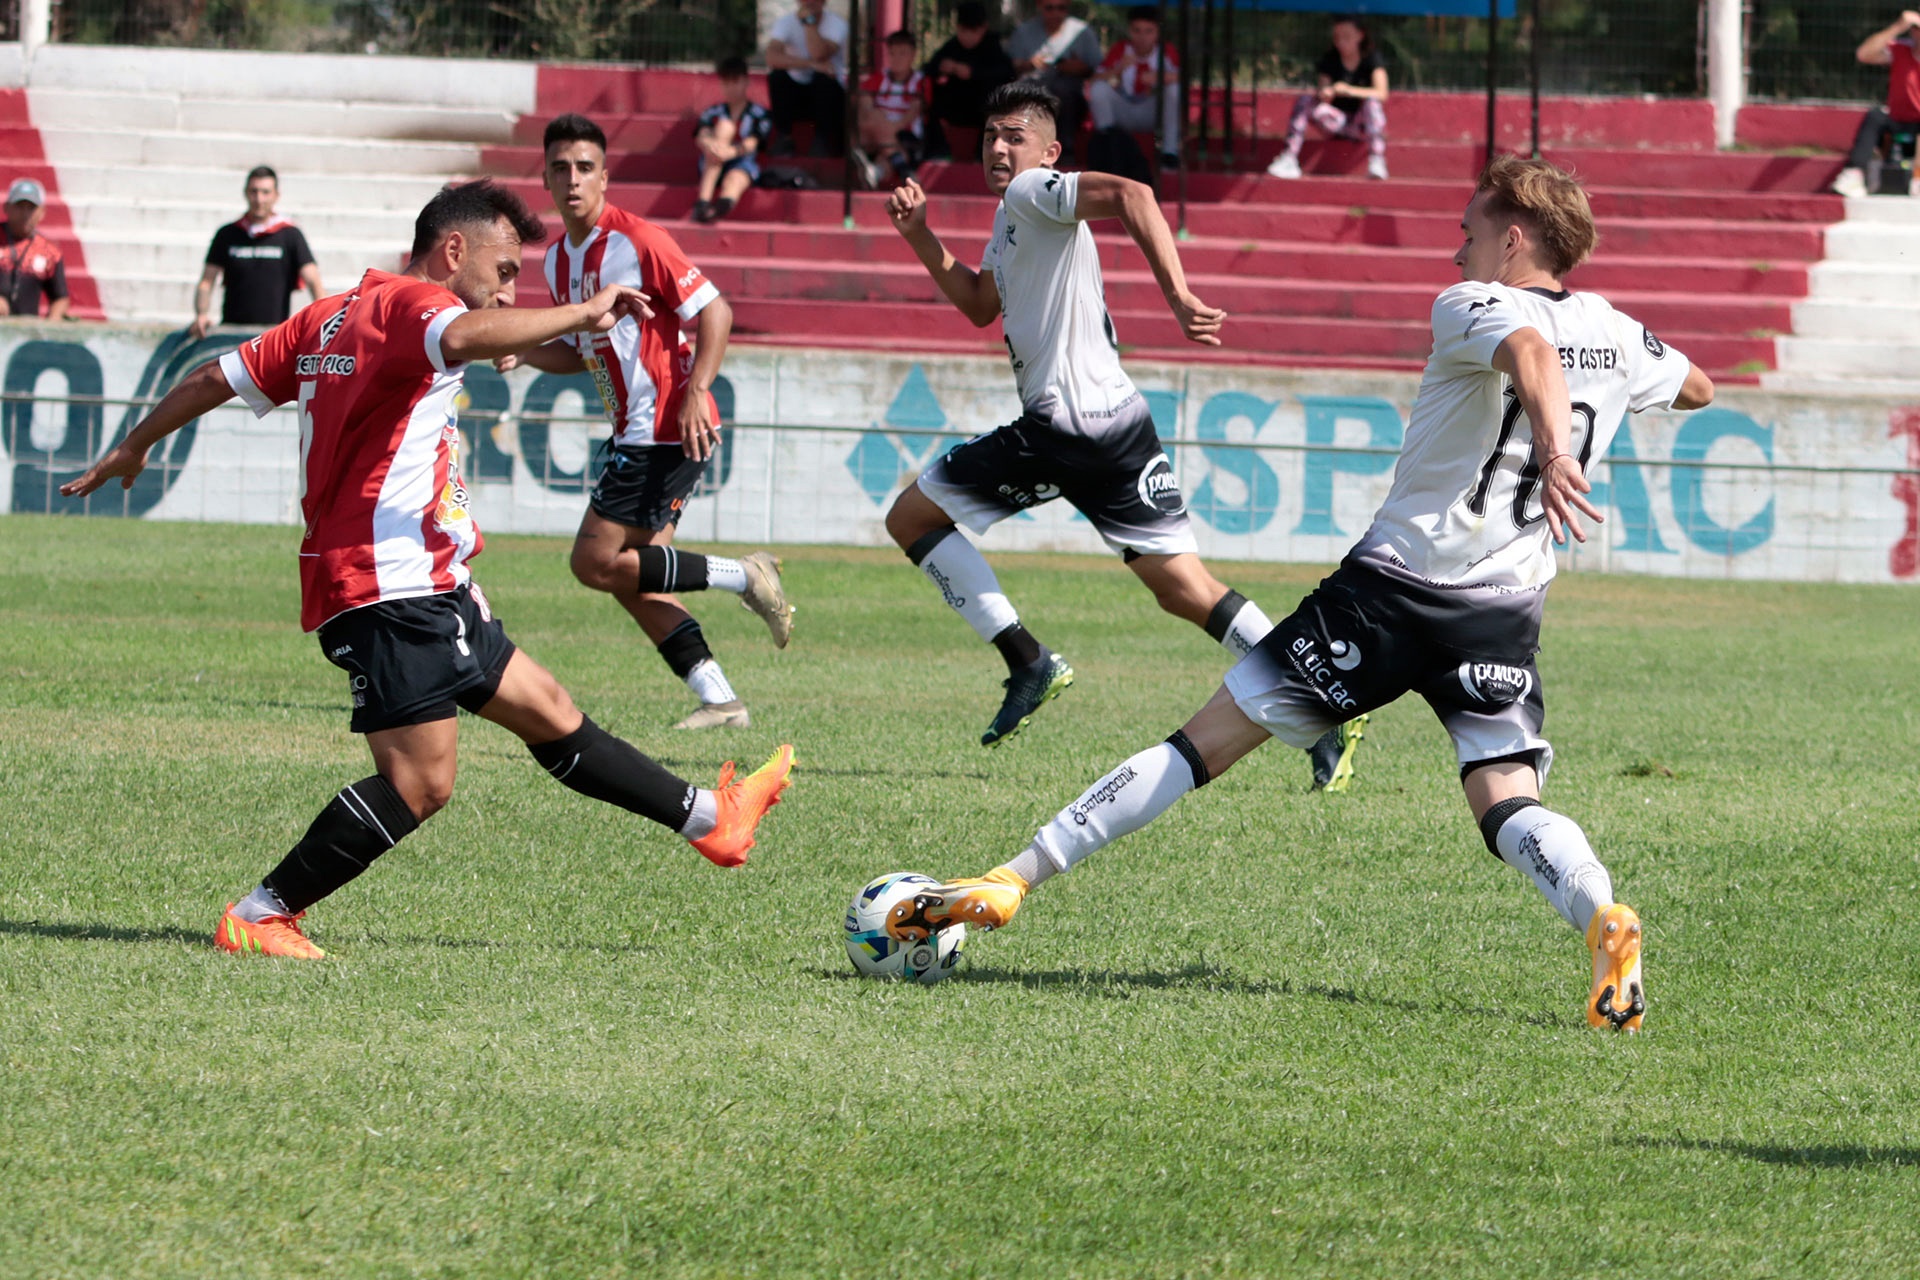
[420, 659]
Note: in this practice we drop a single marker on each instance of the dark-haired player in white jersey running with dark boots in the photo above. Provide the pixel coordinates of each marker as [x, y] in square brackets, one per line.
[1084, 433]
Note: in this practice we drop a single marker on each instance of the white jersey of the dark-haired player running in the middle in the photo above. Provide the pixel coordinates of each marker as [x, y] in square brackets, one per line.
[1053, 306]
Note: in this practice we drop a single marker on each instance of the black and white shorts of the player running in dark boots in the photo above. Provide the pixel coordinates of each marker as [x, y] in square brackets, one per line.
[1120, 481]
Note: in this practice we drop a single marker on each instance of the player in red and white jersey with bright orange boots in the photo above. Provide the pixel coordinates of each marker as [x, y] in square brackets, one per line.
[383, 563]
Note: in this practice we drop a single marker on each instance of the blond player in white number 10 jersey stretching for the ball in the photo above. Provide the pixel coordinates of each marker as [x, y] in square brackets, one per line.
[1443, 594]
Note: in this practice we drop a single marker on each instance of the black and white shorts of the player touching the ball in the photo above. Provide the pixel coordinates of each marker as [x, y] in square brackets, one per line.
[1362, 640]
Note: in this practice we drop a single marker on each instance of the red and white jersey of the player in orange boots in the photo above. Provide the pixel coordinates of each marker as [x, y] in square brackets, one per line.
[379, 448]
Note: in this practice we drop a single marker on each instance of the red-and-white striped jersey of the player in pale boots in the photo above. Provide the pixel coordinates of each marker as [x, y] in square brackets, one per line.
[640, 369]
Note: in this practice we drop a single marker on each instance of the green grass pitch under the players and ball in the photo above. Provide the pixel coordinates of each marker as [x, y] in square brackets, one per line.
[1274, 1035]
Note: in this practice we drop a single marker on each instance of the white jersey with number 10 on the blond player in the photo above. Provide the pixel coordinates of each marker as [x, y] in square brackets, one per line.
[1464, 510]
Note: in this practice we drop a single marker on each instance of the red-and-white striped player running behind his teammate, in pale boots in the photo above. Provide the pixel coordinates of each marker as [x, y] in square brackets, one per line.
[665, 423]
